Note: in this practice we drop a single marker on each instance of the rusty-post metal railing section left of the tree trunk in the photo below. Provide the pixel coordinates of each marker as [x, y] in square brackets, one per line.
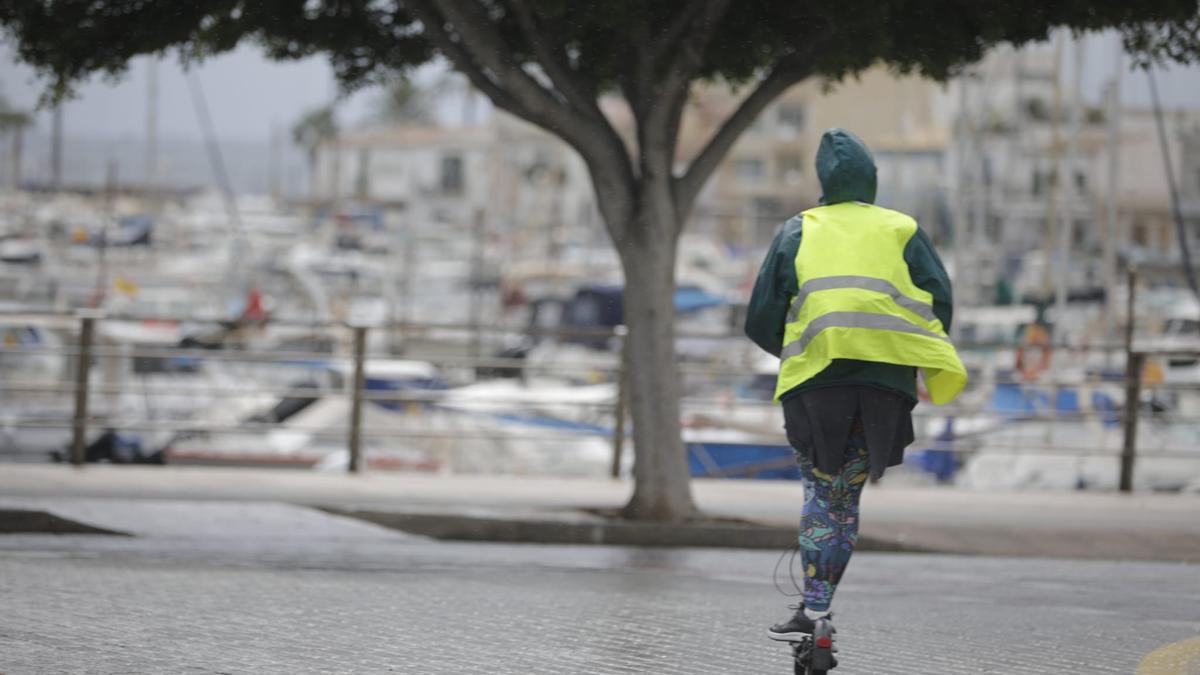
[86, 353]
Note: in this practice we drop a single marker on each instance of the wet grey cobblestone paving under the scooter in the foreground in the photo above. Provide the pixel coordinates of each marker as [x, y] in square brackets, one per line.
[365, 605]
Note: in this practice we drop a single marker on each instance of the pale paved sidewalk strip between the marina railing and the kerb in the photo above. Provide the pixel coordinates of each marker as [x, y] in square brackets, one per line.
[1144, 527]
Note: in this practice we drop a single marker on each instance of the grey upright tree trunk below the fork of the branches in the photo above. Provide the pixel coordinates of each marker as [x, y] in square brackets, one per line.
[662, 486]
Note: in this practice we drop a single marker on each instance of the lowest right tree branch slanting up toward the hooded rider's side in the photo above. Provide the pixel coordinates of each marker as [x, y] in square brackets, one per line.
[718, 147]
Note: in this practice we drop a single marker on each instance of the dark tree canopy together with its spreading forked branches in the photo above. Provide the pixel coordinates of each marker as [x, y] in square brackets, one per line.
[548, 61]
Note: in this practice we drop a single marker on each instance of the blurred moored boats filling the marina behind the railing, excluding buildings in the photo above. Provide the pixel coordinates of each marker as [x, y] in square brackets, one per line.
[196, 362]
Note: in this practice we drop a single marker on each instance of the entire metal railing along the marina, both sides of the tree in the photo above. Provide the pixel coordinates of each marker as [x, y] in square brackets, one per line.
[609, 416]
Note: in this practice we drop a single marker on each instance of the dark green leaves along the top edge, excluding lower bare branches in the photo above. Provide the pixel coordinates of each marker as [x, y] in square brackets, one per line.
[598, 44]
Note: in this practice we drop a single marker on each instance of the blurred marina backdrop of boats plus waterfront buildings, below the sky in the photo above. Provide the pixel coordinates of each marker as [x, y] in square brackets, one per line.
[470, 256]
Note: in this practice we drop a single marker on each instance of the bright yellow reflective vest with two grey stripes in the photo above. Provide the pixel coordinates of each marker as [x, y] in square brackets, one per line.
[857, 301]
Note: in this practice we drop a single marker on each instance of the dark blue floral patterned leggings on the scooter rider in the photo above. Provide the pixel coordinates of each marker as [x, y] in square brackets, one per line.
[830, 522]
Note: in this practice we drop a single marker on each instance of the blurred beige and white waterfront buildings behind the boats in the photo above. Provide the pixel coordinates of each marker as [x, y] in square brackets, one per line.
[992, 165]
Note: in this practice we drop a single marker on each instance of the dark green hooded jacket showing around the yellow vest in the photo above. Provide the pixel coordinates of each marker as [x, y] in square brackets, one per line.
[848, 172]
